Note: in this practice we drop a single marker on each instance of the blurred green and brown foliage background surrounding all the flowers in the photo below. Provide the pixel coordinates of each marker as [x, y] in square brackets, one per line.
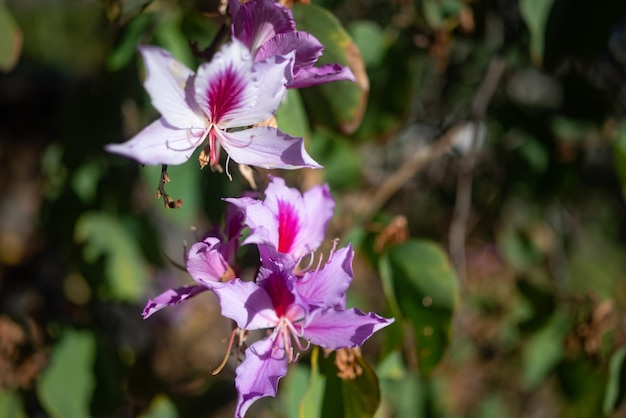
[479, 168]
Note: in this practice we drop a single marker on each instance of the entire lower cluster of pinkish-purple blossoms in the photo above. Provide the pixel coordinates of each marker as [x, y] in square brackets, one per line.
[297, 307]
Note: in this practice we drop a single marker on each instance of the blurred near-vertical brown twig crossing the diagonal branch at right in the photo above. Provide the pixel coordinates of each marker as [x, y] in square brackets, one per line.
[463, 203]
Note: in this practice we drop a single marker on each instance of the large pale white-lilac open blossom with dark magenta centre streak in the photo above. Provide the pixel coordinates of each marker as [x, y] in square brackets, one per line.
[219, 105]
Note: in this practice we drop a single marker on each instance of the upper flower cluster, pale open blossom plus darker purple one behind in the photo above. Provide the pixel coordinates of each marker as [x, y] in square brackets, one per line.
[227, 101]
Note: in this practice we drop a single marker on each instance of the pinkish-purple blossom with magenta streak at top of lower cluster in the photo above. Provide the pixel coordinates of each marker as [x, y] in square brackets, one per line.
[287, 221]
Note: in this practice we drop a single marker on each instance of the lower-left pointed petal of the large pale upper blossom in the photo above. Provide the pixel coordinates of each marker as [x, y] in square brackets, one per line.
[160, 143]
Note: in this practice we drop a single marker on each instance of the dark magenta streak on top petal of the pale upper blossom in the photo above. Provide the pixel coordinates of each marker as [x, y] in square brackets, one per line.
[225, 93]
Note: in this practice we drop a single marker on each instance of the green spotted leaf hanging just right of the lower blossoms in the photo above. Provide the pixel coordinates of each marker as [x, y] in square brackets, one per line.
[427, 291]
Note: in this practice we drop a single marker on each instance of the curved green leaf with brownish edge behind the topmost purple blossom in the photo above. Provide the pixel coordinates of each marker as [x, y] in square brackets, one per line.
[340, 104]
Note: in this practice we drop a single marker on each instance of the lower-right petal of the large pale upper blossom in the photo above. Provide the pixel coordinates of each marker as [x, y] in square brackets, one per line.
[268, 148]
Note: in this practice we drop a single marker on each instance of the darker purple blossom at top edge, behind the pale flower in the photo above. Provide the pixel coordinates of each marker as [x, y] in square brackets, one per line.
[268, 29]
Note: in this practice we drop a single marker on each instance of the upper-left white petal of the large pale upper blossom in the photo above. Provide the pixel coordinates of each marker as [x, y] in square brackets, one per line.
[165, 83]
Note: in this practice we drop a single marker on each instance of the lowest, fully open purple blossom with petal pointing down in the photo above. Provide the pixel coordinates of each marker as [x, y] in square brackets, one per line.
[278, 302]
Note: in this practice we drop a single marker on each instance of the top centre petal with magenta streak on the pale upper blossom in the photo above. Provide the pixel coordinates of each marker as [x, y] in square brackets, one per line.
[224, 87]
